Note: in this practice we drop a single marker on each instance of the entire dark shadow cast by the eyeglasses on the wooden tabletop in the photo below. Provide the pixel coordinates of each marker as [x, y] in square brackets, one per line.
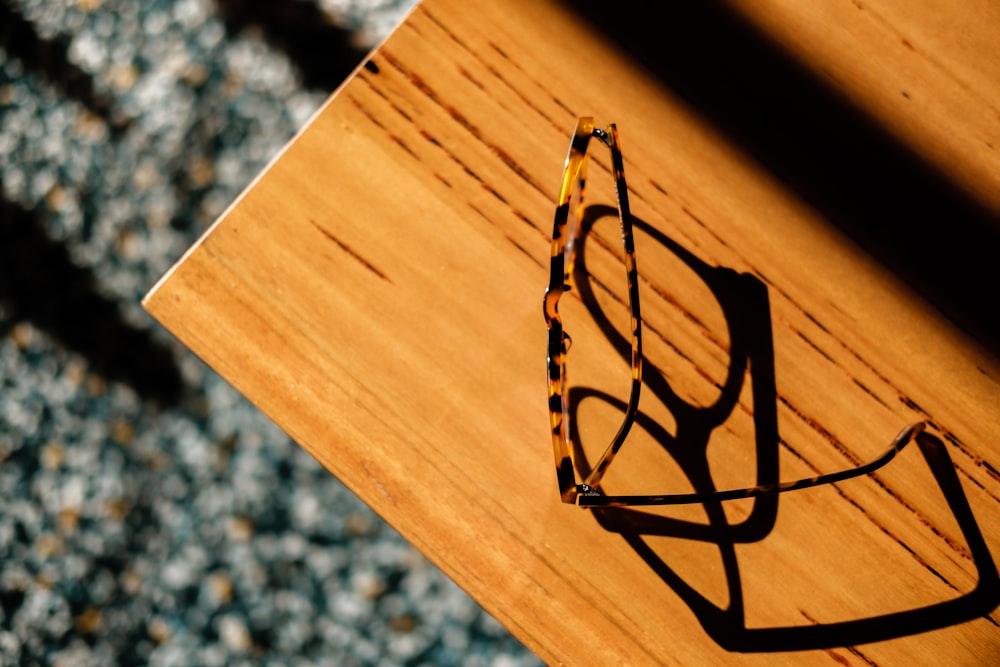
[746, 312]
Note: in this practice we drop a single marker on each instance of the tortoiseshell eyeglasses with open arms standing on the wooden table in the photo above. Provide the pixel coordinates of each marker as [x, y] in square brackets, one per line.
[569, 219]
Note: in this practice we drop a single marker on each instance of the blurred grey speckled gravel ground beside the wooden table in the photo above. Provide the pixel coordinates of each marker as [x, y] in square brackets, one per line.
[150, 514]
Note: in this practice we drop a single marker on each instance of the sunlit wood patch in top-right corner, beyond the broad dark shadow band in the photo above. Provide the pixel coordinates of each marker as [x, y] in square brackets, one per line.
[927, 71]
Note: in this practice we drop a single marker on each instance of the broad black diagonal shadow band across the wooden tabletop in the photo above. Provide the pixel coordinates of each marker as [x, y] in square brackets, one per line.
[907, 213]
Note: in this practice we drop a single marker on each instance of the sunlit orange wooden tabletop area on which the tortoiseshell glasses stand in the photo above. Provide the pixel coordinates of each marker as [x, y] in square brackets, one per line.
[377, 292]
